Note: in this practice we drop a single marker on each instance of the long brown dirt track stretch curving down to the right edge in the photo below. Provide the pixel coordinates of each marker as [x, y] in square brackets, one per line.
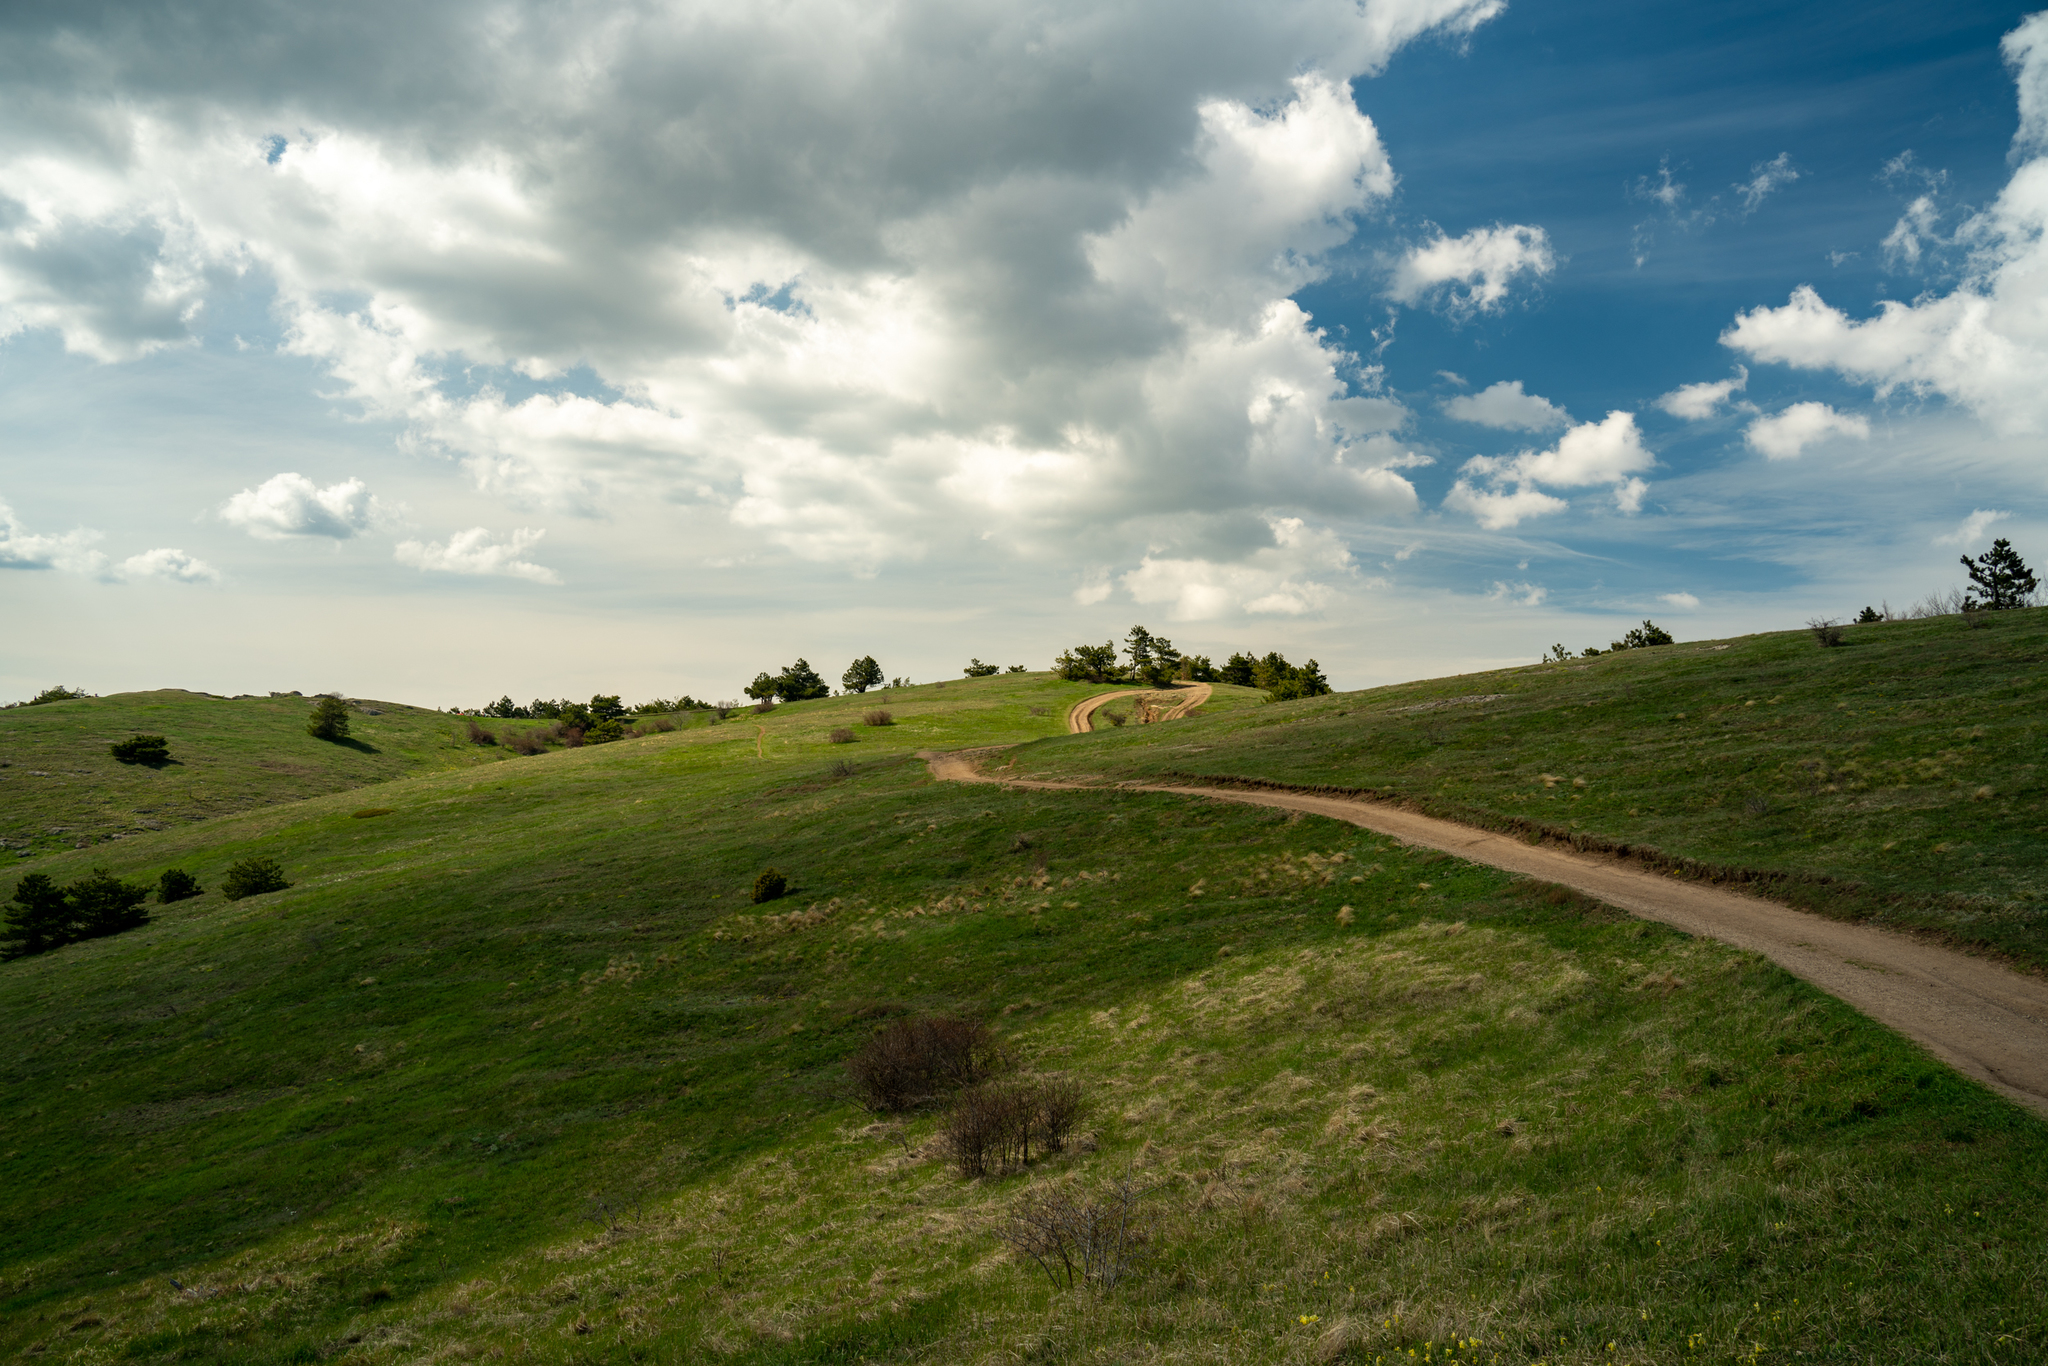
[1977, 1017]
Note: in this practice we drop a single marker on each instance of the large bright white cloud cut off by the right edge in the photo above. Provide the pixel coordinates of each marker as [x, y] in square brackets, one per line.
[1983, 343]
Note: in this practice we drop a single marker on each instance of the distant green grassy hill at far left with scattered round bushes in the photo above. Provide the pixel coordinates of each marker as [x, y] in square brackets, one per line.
[60, 787]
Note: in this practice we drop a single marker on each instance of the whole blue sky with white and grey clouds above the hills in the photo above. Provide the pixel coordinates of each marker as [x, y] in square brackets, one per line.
[441, 351]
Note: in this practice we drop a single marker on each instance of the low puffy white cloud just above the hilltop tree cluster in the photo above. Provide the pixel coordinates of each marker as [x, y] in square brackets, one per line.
[1287, 579]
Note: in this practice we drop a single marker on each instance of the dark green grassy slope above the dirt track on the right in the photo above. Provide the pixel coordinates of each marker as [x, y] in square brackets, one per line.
[1912, 765]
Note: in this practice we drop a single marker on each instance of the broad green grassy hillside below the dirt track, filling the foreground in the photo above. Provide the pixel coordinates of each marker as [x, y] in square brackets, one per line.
[519, 1070]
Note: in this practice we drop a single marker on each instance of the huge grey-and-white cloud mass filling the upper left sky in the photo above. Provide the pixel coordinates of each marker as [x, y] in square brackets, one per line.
[859, 284]
